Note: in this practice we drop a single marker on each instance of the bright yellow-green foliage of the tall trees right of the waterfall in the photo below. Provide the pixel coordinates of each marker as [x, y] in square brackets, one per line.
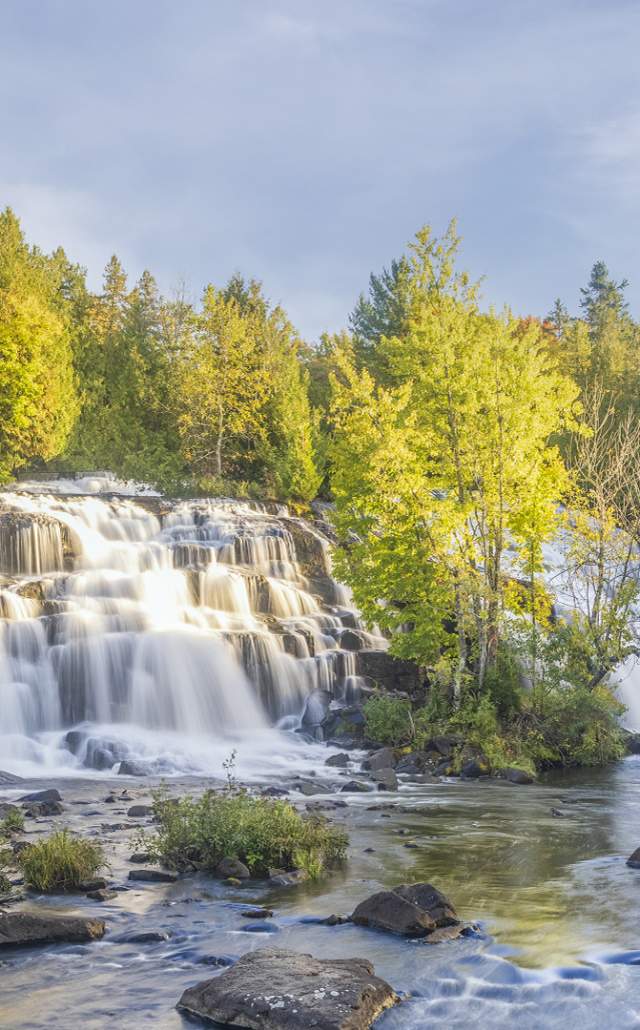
[435, 474]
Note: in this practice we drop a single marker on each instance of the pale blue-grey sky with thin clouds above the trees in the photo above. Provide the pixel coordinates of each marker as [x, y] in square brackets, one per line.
[304, 143]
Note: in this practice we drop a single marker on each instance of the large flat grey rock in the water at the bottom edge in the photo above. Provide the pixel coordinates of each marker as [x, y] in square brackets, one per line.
[274, 989]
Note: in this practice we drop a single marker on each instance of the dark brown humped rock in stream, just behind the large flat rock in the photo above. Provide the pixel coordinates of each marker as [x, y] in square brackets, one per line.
[412, 911]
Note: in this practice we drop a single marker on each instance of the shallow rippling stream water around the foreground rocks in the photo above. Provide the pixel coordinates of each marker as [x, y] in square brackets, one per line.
[557, 908]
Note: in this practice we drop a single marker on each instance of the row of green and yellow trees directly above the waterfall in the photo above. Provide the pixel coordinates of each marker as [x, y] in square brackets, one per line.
[196, 398]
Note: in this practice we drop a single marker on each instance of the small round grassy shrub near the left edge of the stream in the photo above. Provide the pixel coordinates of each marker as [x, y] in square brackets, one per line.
[60, 863]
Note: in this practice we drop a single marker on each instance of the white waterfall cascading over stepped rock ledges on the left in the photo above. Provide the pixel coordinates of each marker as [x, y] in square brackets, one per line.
[161, 633]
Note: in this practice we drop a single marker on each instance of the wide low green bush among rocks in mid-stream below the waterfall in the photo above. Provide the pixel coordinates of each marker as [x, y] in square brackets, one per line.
[260, 832]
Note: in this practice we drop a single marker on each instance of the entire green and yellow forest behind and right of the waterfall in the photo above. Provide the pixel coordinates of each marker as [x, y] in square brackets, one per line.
[483, 468]
